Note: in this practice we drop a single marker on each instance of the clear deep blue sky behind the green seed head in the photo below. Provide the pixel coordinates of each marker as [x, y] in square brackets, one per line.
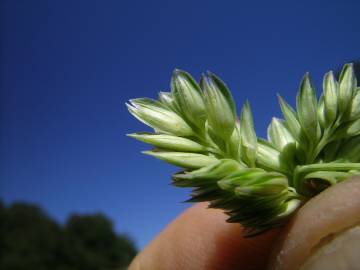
[68, 67]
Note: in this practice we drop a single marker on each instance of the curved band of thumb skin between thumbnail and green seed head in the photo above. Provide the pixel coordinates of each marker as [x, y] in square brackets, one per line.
[333, 210]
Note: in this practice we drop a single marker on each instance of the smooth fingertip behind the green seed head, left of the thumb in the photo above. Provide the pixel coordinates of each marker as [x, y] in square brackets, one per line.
[200, 239]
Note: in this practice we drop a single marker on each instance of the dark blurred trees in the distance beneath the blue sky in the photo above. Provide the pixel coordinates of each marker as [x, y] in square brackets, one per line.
[30, 240]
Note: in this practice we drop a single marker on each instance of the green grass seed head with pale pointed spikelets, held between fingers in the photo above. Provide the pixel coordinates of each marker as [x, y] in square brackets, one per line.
[259, 183]
